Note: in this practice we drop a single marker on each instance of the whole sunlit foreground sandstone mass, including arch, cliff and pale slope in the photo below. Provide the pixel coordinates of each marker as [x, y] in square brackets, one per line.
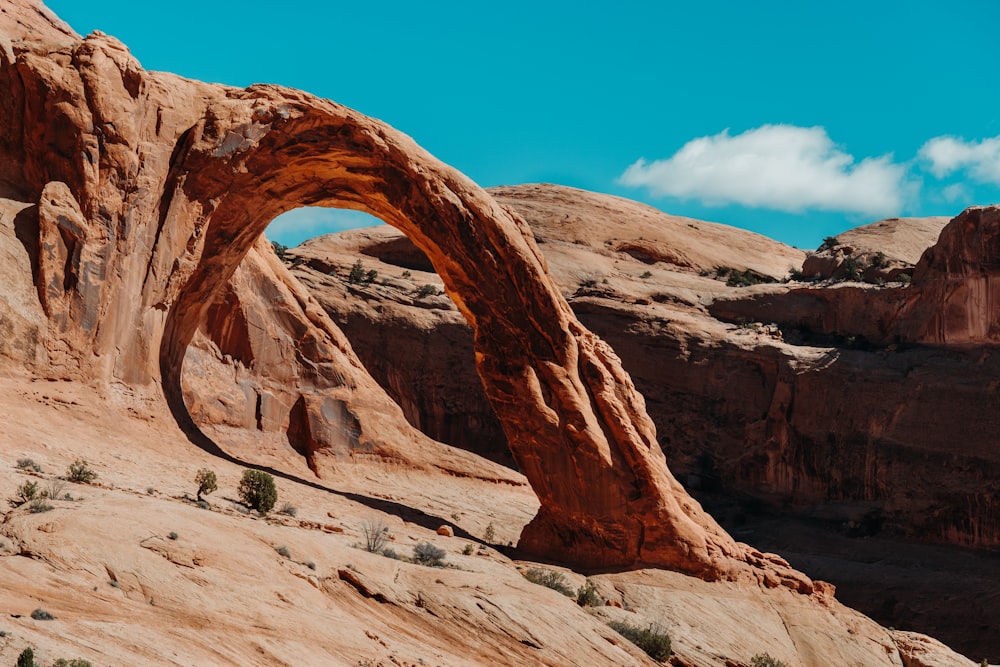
[136, 200]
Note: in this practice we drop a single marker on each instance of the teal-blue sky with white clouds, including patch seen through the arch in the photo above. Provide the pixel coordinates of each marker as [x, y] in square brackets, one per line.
[796, 120]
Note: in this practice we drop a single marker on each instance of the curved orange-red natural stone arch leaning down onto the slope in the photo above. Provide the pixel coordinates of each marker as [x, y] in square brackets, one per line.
[576, 425]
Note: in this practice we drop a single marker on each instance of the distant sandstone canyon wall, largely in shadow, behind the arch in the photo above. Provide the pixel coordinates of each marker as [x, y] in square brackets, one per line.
[806, 416]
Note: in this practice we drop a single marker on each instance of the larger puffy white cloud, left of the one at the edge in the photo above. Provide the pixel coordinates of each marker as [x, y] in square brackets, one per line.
[781, 167]
